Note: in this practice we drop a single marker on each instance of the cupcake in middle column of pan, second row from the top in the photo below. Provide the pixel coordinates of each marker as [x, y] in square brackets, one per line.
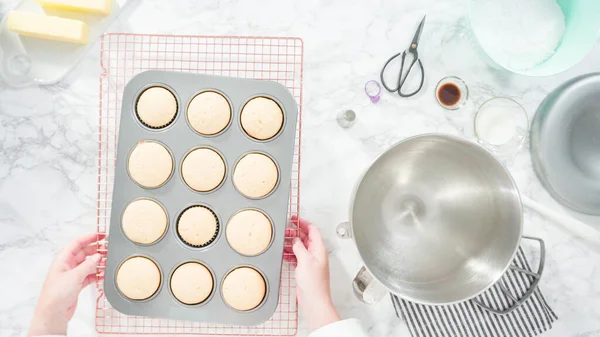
[203, 169]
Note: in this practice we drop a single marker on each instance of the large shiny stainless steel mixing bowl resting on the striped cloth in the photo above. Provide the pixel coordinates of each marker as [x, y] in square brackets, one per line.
[436, 219]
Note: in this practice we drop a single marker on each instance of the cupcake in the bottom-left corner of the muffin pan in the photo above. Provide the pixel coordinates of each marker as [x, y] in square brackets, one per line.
[138, 278]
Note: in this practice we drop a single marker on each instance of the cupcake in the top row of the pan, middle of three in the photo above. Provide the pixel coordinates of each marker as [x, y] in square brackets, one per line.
[209, 113]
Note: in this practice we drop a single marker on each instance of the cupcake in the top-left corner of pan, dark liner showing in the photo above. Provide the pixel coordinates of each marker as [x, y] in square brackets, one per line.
[156, 107]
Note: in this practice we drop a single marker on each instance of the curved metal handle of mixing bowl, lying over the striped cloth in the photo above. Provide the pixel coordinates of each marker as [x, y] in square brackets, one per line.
[536, 280]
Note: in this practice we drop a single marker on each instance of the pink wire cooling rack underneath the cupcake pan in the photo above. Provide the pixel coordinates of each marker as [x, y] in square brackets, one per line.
[125, 55]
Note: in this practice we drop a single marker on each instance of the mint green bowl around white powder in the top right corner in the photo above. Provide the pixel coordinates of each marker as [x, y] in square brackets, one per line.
[581, 33]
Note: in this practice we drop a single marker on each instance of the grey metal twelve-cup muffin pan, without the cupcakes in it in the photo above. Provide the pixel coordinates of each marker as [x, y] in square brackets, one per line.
[175, 196]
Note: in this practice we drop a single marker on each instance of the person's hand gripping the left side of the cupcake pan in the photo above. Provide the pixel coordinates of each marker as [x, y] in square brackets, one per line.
[72, 270]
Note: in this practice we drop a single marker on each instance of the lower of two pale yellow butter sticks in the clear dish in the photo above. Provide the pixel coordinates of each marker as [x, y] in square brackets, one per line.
[48, 27]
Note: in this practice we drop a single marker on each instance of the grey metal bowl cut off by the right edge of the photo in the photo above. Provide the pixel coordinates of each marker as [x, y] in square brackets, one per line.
[565, 143]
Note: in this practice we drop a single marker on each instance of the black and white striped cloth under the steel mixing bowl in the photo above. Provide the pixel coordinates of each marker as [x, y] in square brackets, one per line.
[469, 320]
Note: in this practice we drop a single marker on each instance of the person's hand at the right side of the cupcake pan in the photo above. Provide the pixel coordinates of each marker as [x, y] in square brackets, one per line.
[312, 274]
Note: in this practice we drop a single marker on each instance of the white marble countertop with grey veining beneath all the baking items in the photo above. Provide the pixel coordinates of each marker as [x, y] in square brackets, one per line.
[48, 142]
